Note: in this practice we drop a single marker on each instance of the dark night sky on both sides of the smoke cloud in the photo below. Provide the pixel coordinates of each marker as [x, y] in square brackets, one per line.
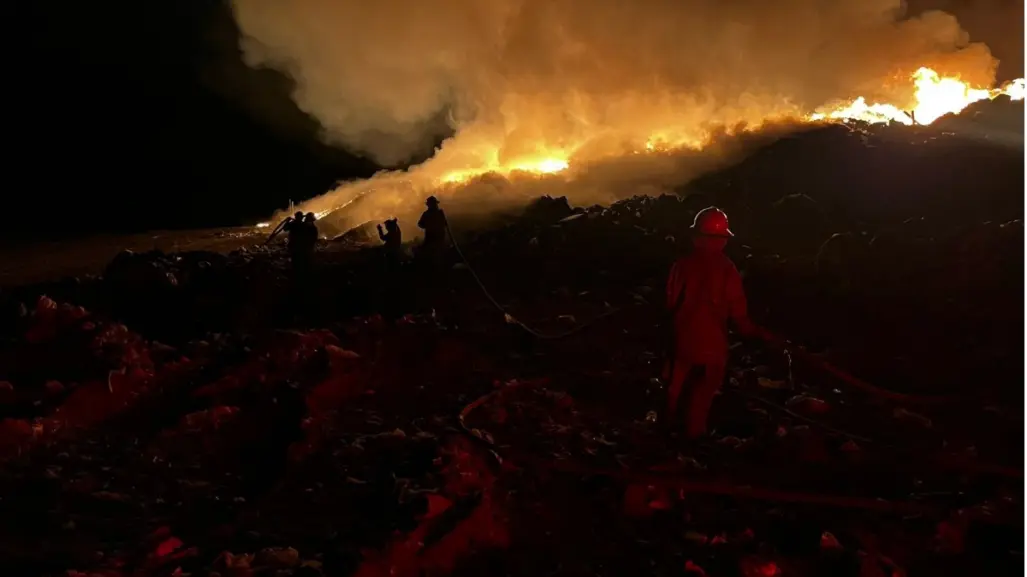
[131, 117]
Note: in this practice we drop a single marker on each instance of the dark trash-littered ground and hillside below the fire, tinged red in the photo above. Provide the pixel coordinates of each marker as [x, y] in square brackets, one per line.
[200, 412]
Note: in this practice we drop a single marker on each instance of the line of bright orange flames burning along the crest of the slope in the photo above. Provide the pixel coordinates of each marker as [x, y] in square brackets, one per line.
[389, 196]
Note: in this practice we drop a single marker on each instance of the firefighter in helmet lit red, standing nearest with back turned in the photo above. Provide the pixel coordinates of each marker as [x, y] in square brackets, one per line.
[703, 293]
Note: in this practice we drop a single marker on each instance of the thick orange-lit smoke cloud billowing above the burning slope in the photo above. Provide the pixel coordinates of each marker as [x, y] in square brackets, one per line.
[593, 81]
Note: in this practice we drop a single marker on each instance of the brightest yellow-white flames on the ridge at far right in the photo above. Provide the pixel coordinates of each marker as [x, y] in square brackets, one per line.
[935, 97]
